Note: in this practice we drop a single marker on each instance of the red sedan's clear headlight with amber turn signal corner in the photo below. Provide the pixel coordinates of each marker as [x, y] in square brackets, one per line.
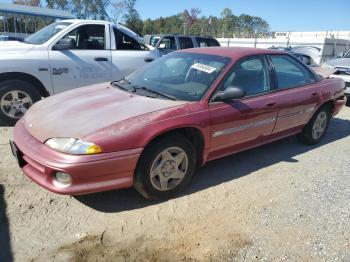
[73, 146]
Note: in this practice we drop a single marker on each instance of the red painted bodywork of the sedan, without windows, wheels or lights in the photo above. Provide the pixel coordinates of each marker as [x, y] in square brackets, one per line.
[124, 124]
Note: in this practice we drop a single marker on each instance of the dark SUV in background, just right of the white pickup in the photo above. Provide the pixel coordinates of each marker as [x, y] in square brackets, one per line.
[166, 43]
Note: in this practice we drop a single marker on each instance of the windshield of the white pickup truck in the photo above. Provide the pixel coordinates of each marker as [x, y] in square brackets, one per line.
[46, 33]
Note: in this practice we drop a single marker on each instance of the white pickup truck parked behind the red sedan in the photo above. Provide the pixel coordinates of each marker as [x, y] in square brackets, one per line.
[65, 55]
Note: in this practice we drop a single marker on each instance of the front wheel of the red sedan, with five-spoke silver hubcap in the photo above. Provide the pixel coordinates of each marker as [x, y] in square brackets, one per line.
[165, 168]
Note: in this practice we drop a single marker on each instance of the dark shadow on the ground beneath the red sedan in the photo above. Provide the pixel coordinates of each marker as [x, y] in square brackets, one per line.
[221, 170]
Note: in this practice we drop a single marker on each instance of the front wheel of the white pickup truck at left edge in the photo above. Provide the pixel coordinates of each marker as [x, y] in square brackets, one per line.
[16, 96]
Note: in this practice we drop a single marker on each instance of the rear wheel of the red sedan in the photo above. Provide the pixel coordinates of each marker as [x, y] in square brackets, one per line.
[316, 128]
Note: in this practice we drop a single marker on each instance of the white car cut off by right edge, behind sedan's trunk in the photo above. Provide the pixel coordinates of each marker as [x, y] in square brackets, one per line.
[341, 66]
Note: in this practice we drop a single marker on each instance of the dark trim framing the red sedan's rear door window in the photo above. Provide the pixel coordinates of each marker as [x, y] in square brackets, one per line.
[273, 69]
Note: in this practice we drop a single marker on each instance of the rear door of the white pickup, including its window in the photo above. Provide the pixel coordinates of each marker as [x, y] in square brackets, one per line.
[128, 54]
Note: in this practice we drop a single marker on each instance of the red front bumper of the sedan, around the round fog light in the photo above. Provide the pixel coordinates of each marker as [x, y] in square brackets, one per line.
[92, 173]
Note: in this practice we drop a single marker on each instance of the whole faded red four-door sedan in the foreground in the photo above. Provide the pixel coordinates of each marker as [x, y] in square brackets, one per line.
[152, 129]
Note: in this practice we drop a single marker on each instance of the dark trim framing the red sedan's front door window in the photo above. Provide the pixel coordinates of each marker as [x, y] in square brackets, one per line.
[271, 82]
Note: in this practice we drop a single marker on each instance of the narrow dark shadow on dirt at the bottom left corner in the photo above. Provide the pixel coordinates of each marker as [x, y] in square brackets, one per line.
[5, 244]
